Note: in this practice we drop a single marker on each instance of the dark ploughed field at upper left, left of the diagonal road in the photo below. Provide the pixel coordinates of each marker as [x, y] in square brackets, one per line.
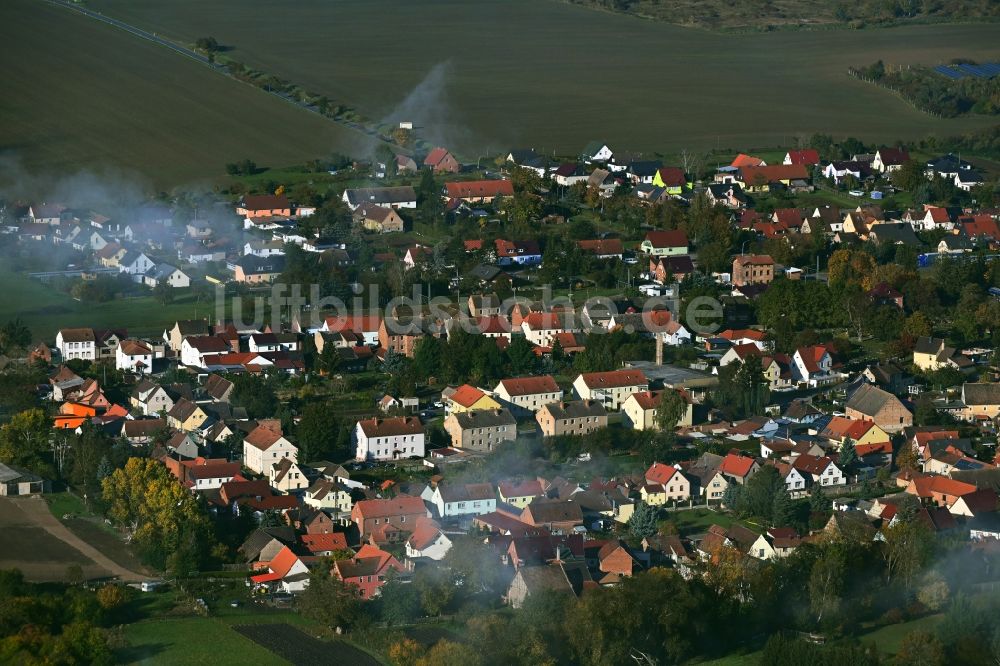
[96, 96]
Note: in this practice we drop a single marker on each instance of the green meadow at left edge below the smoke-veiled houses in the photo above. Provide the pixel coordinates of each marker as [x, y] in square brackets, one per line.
[45, 310]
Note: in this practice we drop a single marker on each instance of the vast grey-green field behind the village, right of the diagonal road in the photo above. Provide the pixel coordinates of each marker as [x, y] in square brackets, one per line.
[553, 76]
